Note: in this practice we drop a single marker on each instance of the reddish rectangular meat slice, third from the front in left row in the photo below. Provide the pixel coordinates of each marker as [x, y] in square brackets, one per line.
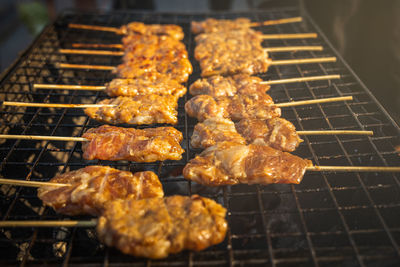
[147, 145]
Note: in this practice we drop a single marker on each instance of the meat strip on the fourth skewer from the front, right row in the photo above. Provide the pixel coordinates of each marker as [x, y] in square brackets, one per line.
[228, 86]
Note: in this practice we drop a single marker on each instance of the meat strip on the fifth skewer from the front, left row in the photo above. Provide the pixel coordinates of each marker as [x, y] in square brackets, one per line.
[151, 84]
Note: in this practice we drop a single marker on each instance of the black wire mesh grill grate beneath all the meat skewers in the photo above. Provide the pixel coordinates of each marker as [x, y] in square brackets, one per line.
[329, 219]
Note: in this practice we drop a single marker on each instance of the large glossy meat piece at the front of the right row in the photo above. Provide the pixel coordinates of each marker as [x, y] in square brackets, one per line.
[229, 163]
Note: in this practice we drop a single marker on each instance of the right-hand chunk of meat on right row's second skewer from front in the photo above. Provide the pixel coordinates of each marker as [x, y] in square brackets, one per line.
[277, 133]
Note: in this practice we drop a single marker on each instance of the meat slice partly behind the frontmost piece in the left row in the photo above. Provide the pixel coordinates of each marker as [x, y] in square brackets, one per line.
[90, 188]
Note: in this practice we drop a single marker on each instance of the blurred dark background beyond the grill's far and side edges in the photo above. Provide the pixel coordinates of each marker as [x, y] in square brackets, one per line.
[365, 32]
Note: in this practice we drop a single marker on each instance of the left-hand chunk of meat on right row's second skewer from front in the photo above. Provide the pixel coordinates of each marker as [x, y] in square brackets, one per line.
[214, 130]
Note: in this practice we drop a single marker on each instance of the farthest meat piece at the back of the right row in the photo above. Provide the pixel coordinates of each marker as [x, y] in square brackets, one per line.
[220, 25]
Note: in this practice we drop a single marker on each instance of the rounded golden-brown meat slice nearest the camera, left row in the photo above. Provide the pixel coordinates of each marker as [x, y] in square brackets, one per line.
[154, 228]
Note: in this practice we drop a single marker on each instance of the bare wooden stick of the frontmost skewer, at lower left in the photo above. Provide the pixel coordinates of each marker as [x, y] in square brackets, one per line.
[90, 223]
